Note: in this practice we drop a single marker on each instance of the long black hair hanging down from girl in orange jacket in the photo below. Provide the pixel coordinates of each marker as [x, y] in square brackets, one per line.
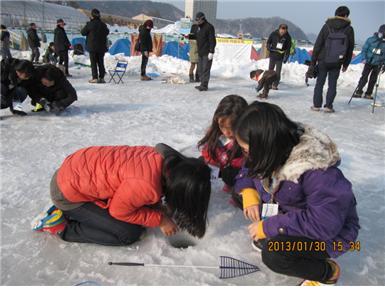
[187, 188]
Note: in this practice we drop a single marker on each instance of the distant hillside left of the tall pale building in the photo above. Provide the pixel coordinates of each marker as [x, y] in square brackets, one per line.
[132, 8]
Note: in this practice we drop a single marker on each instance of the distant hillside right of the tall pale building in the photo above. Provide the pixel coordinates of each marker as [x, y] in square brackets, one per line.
[257, 27]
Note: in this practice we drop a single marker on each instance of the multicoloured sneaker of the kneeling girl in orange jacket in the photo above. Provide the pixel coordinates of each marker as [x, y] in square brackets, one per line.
[51, 221]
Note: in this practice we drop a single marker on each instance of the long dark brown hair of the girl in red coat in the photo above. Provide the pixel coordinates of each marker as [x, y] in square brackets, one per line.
[231, 106]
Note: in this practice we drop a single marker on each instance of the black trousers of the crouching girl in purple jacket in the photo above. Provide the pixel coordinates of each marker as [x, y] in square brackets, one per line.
[296, 261]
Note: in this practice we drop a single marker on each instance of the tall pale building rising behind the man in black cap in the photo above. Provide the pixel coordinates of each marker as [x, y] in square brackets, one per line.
[208, 7]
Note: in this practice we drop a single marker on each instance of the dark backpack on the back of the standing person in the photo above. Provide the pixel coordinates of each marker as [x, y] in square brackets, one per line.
[336, 45]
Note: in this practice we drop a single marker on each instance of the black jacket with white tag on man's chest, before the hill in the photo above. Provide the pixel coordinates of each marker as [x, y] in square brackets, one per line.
[279, 46]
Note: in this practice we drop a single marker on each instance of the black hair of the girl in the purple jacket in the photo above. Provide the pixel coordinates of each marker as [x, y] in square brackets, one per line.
[271, 136]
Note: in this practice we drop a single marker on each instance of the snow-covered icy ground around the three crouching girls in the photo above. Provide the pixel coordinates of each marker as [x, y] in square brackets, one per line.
[145, 113]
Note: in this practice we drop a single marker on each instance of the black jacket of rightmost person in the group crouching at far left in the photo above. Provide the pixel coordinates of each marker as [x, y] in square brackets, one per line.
[62, 92]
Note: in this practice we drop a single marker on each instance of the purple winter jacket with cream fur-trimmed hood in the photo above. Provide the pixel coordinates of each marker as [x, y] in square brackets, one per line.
[315, 199]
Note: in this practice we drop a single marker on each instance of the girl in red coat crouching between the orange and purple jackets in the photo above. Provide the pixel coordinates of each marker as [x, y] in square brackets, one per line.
[218, 146]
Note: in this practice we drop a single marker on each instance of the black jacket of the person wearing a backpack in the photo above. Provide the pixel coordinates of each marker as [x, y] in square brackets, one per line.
[336, 23]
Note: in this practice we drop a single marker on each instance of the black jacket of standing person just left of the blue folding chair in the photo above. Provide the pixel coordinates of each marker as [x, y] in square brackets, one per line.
[96, 32]
